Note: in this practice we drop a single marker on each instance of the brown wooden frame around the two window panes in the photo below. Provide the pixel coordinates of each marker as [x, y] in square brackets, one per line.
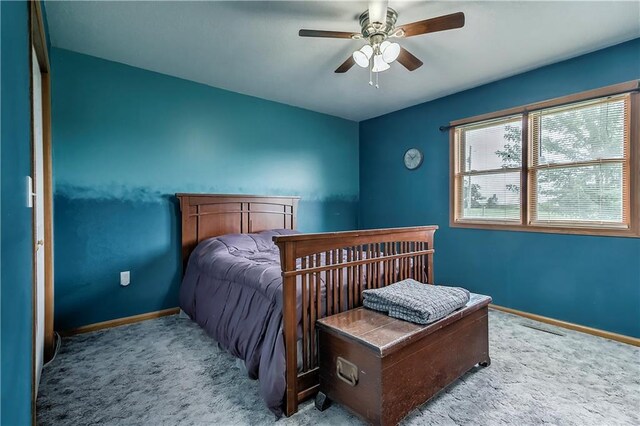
[525, 223]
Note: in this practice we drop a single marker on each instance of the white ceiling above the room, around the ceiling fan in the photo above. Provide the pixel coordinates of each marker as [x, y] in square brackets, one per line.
[253, 47]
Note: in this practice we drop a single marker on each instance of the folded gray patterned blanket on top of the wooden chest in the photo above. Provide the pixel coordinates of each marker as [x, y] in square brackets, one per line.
[416, 302]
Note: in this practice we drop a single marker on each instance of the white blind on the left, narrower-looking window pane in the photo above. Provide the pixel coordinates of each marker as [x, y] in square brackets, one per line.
[488, 170]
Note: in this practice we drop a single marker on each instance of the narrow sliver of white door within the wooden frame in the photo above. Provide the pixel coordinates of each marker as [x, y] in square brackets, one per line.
[38, 204]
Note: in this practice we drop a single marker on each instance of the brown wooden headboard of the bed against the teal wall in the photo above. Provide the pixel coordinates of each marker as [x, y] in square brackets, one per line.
[211, 215]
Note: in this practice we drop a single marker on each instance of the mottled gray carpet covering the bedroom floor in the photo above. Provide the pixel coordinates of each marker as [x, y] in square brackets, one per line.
[168, 372]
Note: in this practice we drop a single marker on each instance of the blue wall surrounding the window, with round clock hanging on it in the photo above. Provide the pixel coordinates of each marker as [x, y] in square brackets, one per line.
[594, 281]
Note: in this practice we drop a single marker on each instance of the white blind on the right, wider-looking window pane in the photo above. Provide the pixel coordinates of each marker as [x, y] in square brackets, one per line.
[579, 164]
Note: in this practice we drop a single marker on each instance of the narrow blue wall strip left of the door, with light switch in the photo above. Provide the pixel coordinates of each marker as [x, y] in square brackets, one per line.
[16, 250]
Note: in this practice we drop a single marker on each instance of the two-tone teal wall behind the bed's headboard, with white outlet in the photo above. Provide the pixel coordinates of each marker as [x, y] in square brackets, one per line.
[126, 139]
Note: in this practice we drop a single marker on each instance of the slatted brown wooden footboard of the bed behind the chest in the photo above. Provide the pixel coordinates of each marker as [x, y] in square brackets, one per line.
[329, 271]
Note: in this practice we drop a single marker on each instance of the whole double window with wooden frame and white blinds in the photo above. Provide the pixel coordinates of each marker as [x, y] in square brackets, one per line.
[567, 165]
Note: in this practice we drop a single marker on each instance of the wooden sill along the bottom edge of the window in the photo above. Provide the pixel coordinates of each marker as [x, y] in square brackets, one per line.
[502, 226]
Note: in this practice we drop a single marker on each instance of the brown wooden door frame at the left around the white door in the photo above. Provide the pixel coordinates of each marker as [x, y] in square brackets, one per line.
[38, 40]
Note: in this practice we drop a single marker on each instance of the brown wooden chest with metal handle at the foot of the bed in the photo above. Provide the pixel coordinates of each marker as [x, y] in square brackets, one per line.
[381, 368]
